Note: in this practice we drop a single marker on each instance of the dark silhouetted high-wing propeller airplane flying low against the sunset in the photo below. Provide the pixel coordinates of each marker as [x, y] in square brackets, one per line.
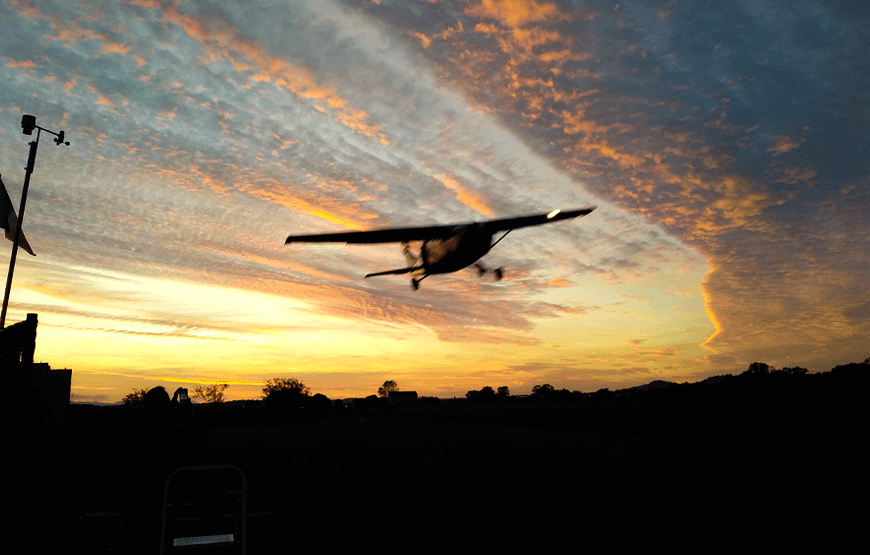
[445, 248]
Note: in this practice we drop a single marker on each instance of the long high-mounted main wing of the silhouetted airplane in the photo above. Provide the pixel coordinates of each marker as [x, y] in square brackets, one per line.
[403, 234]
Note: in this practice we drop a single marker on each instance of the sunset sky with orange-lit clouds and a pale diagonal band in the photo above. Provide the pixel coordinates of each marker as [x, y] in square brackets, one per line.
[725, 145]
